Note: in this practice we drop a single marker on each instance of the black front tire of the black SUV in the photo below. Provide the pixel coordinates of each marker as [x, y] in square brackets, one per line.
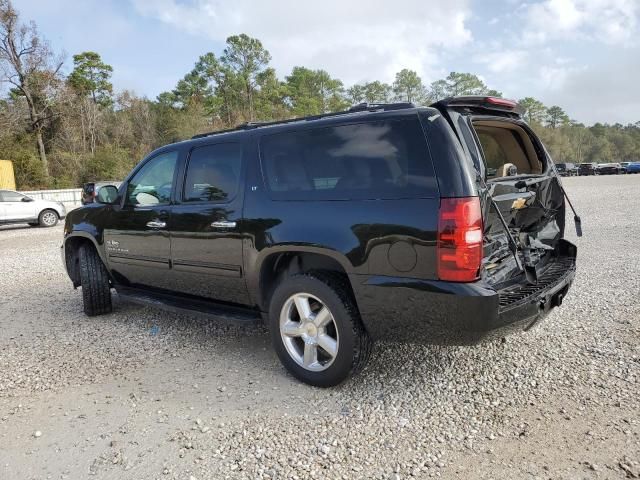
[94, 279]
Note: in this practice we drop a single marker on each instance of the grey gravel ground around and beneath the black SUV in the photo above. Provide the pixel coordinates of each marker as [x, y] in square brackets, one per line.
[146, 394]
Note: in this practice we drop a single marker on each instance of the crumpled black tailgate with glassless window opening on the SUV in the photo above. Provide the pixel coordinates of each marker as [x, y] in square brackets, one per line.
[530, 202]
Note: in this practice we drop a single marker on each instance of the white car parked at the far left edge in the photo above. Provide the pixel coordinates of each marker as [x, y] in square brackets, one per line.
[19, 208]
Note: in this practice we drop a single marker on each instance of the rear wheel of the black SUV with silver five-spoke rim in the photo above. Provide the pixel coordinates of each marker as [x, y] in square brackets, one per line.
[343, 334]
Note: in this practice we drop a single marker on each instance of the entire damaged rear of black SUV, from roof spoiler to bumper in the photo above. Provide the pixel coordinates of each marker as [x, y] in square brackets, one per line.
[525, 258]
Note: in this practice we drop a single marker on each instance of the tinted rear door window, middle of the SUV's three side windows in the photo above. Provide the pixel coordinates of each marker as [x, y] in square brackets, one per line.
[213, 173]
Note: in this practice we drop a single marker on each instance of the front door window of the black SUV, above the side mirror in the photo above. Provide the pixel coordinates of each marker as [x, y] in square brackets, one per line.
[153, 183]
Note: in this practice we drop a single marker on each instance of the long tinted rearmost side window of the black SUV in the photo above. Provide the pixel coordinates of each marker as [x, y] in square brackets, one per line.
[383, 159]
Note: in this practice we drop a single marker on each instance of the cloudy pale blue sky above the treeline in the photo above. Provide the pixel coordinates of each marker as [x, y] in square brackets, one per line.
[583, 55]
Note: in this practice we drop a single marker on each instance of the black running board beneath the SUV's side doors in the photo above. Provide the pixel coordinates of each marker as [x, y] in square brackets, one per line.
[180, 304]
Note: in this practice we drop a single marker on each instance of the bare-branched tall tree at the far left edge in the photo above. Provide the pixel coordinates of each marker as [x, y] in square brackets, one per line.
[27, 63]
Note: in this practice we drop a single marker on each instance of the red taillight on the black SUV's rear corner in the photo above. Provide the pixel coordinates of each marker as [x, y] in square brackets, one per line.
[459, 239]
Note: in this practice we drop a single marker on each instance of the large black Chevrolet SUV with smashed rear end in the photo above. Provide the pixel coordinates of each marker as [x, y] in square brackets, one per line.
[439, 224]
